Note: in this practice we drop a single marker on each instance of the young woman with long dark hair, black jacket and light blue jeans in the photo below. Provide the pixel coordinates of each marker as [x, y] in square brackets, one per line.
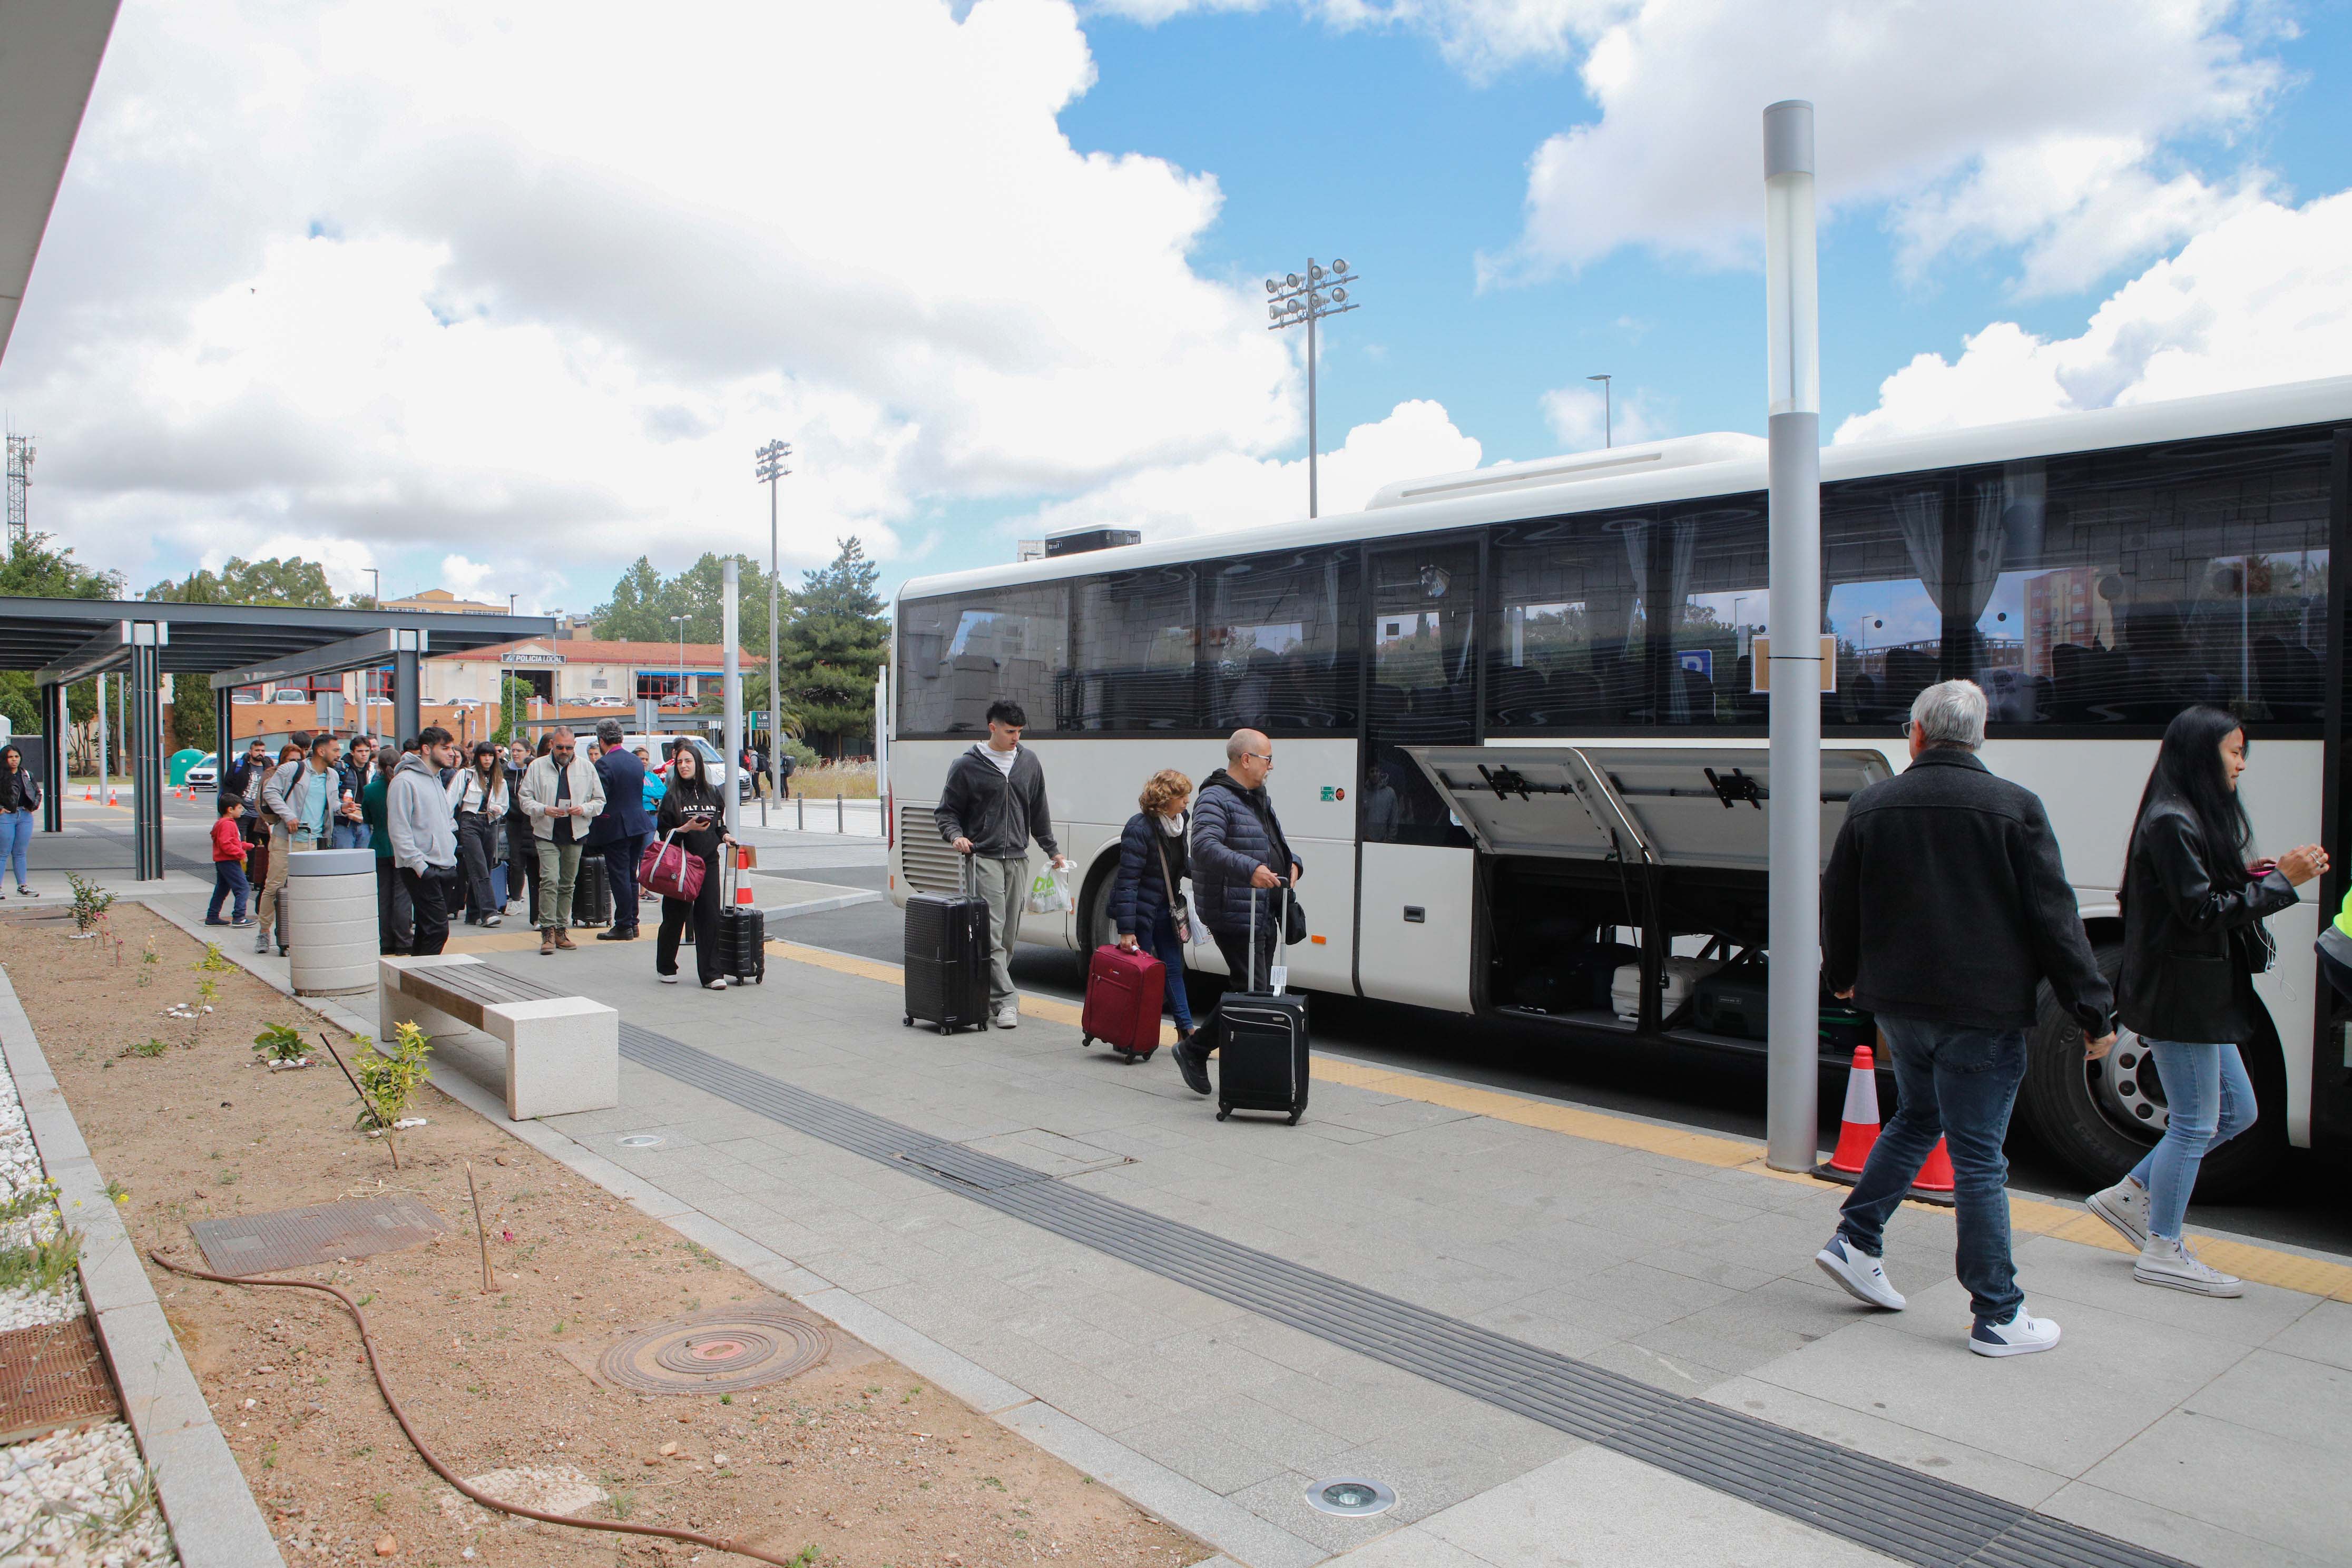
[2193, 944]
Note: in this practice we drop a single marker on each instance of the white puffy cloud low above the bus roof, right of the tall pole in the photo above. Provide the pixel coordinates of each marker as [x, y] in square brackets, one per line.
[2264, 297]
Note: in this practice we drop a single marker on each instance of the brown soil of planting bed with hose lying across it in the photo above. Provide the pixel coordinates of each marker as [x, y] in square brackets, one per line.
[855, 1463]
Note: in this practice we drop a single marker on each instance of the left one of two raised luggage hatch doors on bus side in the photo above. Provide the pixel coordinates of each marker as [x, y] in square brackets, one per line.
[1530, 800]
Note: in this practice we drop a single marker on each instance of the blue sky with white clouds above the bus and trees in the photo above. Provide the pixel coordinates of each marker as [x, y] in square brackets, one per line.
[500, 297]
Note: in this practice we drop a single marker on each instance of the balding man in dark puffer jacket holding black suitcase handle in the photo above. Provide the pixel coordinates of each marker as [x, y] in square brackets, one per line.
[1238, 857]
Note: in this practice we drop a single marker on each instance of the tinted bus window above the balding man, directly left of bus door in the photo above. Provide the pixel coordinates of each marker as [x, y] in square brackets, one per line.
[1281, 643]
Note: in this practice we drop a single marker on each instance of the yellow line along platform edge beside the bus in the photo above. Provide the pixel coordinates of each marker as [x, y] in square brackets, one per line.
[2033, 1217]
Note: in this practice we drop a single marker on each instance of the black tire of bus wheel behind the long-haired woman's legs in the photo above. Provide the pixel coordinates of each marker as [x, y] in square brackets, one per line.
[2073, 1120]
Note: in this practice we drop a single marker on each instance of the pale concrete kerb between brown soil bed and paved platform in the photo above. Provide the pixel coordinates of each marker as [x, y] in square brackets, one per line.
[1241, 1536]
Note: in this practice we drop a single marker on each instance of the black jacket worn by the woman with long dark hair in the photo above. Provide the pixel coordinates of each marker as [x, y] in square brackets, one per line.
[2184, 977]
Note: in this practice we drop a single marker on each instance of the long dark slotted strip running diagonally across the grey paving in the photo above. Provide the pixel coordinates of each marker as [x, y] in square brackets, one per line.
[1883, 1506]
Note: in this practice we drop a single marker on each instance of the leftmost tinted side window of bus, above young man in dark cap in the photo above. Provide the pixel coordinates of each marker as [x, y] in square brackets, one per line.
[963, 652]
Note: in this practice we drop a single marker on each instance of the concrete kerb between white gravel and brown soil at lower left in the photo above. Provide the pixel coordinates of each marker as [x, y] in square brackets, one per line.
[213, 1515]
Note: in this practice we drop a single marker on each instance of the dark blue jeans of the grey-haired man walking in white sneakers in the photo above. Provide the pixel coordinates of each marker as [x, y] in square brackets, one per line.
[1958, 1085]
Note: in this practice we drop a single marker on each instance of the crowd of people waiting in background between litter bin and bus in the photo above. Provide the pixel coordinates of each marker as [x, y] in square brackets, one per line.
[476, 838]
